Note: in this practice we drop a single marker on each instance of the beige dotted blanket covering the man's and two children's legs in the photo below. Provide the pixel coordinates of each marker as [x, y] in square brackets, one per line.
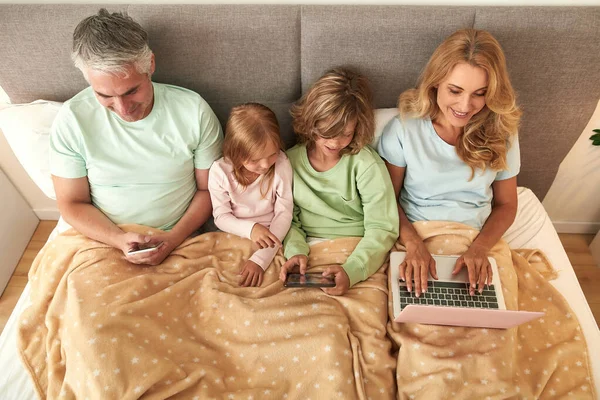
[98, 327]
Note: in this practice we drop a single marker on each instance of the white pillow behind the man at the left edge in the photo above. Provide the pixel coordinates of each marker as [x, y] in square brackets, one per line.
[27, 131]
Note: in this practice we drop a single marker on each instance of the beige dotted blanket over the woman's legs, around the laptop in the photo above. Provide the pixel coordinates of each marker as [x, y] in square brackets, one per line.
[544, 359]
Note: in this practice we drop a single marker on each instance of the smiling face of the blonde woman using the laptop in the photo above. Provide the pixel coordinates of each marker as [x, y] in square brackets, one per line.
[462, 94]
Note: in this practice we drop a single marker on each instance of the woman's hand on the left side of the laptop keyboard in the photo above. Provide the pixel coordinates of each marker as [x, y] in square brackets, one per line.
[417, 264]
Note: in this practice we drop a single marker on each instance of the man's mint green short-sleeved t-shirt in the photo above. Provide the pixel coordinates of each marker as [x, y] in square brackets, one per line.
[139, 172]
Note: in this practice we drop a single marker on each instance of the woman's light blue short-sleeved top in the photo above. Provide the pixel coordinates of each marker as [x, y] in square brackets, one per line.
[436, 182]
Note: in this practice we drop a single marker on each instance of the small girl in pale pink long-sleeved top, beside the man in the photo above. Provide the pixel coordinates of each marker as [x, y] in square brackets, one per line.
[251, 186]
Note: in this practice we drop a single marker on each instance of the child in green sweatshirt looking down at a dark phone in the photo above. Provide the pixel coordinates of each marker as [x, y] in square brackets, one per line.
[341, 186]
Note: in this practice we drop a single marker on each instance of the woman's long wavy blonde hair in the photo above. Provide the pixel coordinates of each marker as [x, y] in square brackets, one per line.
[485, 138]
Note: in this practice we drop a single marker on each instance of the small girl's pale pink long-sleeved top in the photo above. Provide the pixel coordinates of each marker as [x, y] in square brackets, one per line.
[237, 209]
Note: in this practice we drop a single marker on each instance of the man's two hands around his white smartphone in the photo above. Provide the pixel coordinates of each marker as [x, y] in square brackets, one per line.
[166, 243]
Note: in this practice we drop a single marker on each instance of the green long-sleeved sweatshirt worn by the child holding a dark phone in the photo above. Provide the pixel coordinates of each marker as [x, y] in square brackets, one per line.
[354, 198]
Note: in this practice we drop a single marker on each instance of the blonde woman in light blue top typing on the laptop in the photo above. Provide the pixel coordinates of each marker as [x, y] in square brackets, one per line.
[453, 153]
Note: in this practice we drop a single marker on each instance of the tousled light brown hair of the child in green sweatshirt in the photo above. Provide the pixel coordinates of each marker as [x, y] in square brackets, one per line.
[336, 99]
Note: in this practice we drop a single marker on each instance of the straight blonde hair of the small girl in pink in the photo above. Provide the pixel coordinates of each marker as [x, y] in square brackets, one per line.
[249, 129]
